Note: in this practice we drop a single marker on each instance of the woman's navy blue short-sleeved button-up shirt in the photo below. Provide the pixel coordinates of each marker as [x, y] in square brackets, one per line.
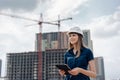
[82, 61]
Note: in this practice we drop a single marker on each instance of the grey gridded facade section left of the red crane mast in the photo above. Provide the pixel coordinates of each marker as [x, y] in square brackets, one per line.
[22, 66]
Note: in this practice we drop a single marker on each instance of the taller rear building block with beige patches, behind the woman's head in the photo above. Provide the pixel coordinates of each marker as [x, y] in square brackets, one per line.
[59, 40]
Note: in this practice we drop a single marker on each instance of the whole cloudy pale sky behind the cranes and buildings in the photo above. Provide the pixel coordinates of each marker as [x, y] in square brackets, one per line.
[102, 17]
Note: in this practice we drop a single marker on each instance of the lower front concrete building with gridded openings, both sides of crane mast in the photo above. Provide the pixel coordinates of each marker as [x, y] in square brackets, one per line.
[24, 66]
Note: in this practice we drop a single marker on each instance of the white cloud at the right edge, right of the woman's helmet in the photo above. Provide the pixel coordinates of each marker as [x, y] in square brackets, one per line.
[106, 26]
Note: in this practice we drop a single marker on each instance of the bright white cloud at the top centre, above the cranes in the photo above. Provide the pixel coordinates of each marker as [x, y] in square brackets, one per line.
[63, 7]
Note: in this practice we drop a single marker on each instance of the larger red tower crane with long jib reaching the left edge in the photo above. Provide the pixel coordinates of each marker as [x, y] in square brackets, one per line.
[39, 47]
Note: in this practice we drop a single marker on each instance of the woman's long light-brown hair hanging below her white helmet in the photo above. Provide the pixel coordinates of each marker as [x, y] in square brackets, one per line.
[79, 44]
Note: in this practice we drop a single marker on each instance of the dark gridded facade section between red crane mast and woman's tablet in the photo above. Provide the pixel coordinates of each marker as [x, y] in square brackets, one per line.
[51, 58]
